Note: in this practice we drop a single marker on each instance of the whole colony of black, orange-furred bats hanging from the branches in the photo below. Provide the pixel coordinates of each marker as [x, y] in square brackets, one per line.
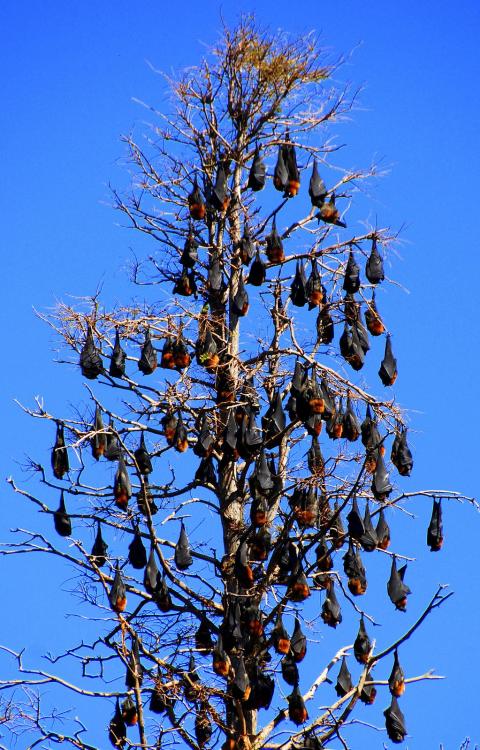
[240, 645]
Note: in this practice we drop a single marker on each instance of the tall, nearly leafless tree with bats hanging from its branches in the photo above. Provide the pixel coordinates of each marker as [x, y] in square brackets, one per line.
[201, 639]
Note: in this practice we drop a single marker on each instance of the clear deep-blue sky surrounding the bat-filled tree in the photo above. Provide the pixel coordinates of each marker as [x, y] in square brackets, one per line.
[69, 71]
